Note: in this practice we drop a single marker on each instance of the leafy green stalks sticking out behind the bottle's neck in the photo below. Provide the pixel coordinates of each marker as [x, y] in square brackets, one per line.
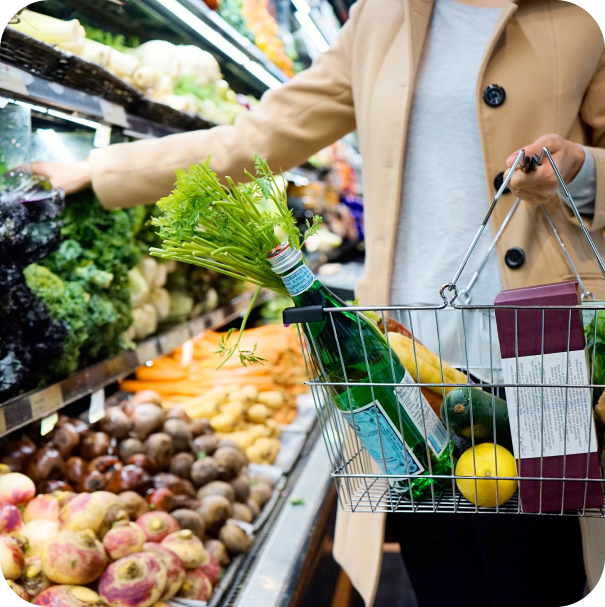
[227, 229]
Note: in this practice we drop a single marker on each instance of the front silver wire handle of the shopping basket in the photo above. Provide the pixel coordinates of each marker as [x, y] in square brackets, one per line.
[526, 165]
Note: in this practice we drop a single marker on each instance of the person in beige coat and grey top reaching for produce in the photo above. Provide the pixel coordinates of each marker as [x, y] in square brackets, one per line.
[442, 94]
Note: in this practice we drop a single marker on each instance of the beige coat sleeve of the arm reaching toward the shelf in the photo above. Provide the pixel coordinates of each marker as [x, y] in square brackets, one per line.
[311, 111]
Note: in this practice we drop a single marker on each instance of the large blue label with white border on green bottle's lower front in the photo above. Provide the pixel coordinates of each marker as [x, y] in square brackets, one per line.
[382, 440]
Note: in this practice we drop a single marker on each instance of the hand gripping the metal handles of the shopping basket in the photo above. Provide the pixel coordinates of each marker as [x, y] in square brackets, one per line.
[540, 186]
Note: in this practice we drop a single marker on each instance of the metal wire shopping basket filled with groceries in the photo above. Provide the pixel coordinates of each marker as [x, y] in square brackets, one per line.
[543, 360]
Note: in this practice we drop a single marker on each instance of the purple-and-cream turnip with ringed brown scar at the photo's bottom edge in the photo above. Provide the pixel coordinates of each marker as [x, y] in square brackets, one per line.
[137, 580]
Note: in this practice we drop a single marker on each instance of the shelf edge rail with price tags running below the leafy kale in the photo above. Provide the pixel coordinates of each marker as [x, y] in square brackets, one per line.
[36, 405]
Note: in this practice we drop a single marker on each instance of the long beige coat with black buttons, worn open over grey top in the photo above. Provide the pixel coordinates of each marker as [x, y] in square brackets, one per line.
[549, 57]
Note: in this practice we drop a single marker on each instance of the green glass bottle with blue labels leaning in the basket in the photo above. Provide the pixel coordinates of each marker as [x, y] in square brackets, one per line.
[402, 414]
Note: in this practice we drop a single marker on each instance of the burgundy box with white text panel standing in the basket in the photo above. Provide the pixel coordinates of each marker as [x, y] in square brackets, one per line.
[520, 334]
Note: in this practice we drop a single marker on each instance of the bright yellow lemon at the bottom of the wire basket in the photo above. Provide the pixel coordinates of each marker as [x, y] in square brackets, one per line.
[484, 463]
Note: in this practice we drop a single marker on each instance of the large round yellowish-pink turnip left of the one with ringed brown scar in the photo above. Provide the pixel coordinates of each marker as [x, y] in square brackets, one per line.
[73, 557]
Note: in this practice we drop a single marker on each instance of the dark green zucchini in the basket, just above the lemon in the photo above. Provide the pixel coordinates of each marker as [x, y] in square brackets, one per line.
[456, 411]
